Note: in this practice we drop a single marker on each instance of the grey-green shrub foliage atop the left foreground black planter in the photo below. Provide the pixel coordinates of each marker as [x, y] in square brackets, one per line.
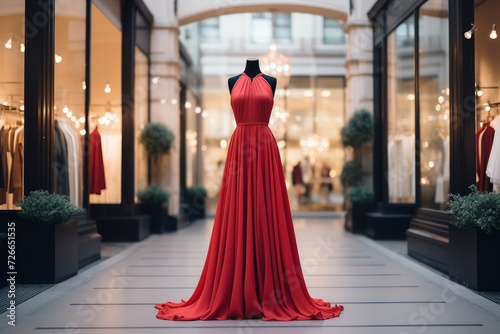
[41, 207]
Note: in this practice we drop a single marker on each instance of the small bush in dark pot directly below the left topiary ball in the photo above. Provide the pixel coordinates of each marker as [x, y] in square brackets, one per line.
[153, 199]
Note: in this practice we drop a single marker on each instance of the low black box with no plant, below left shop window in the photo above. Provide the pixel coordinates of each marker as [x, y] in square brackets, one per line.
[131, 228]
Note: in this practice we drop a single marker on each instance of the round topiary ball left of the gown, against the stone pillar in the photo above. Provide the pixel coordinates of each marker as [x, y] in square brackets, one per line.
[156, 138]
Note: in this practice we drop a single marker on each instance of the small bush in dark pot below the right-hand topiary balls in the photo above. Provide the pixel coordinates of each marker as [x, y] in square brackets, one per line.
[361, 199]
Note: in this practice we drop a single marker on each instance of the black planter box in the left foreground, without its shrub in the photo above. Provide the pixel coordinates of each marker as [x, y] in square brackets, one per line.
[46, 253]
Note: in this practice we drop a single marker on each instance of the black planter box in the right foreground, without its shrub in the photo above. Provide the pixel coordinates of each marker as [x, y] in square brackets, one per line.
[475, 258]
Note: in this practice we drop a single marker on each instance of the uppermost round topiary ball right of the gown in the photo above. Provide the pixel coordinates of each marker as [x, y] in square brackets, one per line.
[358, 130]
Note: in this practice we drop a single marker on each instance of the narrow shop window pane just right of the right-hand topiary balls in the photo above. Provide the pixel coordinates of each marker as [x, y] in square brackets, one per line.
[401, 115]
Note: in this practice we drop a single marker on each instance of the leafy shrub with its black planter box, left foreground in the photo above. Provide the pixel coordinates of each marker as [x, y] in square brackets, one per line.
[47, 238]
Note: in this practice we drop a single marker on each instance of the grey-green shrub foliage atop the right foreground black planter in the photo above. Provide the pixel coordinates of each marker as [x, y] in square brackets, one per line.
[479, 210]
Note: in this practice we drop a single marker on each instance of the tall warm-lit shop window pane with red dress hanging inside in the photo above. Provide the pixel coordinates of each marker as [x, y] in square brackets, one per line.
[105, 119]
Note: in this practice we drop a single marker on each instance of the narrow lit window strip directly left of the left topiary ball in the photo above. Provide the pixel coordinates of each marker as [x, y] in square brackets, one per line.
[141, 104]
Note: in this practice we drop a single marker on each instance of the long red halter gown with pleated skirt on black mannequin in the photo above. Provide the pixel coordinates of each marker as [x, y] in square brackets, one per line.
[252, 269]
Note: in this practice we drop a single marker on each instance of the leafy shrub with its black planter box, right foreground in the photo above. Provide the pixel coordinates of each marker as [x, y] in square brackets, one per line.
[474, 239]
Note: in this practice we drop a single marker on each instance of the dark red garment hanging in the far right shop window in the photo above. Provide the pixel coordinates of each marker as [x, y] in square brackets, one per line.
[484, 143]
